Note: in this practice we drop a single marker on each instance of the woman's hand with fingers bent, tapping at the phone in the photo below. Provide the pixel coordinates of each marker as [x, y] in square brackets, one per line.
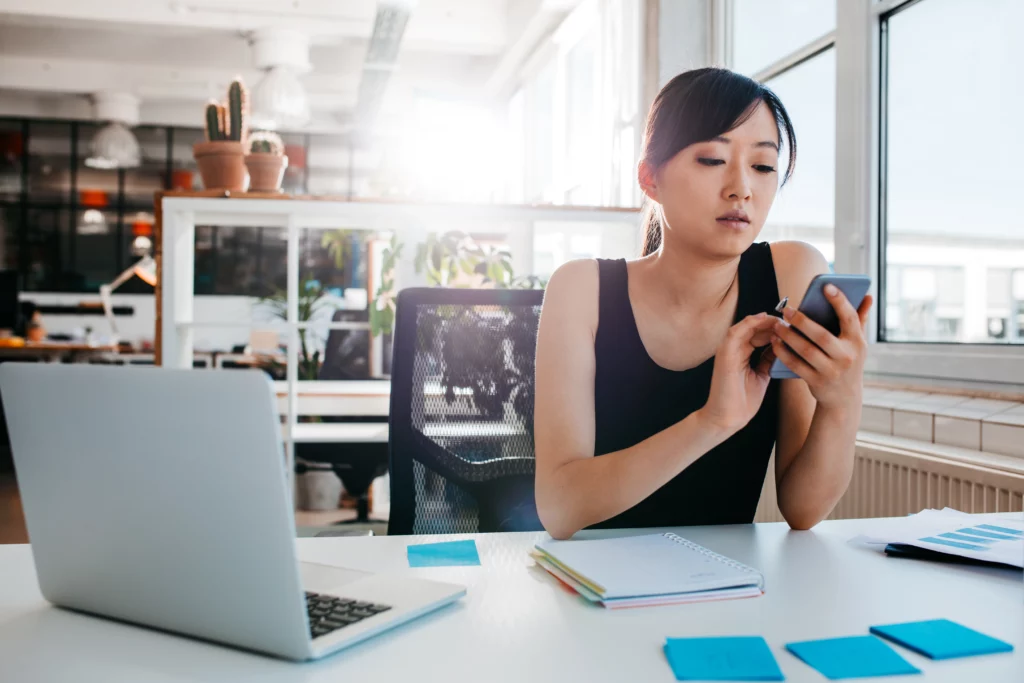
[737, 389]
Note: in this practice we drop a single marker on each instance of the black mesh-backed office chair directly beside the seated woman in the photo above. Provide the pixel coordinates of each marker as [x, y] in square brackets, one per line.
[462, 411]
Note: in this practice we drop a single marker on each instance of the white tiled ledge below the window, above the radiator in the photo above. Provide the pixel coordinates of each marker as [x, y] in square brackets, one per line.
[978, 424]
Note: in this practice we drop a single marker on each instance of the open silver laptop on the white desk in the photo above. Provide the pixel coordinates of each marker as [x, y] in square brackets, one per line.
[159, 497]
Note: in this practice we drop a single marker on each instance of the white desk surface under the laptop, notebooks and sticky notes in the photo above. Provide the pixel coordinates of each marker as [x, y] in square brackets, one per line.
[517, 624]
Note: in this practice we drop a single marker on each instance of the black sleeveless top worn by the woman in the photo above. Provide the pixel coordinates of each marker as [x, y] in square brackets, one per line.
[635, 399]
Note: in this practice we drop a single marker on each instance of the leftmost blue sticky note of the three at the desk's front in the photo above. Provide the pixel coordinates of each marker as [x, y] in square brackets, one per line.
[738, 659]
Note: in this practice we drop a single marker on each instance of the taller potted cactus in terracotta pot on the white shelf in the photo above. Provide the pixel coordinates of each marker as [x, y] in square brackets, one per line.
[221, 157]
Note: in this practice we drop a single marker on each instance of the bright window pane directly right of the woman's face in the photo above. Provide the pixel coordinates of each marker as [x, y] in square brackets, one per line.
[805, 208]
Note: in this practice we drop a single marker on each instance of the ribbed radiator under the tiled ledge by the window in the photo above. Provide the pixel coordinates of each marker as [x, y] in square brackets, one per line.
[893, 483]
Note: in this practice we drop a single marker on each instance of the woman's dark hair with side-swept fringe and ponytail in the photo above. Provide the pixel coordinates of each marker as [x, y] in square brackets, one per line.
[699, 106]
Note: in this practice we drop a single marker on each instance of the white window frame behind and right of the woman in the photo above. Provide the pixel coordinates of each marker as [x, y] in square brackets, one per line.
[861, 191]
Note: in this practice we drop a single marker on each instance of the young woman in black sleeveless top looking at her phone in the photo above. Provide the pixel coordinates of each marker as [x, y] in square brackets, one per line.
[654, 402]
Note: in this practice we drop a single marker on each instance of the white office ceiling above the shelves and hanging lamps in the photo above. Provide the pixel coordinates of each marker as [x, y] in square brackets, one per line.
[176, 55]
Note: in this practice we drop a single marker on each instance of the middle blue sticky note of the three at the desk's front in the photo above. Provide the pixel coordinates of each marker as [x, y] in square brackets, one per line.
[857, 657]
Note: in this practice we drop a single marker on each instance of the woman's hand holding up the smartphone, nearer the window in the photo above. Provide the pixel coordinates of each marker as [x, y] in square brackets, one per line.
[833, 367]
